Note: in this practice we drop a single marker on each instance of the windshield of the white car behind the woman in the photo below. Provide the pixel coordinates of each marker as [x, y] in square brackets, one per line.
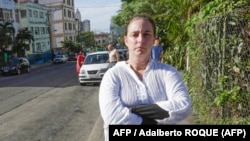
[96, 59]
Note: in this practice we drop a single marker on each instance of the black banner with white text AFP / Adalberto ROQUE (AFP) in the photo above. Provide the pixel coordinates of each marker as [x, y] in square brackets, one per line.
[194, 132]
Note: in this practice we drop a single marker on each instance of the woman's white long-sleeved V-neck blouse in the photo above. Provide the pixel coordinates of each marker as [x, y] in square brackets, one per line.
[121, 88]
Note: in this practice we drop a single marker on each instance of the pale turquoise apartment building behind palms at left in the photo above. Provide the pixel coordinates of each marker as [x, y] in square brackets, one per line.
[34, 16]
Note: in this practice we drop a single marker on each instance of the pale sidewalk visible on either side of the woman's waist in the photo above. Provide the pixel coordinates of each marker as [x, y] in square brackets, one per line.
[97, 133]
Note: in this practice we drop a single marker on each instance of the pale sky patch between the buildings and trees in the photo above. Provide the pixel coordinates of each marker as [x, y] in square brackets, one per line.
[99, 12]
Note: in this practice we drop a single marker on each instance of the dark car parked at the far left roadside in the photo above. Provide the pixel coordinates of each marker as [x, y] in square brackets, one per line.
[16, 66]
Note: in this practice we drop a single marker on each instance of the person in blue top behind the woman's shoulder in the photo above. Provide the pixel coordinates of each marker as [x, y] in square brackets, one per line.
[157, 51]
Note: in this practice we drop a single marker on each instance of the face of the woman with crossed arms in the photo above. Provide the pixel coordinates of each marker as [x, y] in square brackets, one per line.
[140, 38]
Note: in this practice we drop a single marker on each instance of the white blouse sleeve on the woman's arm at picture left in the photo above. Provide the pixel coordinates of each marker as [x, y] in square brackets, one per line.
[113, 109]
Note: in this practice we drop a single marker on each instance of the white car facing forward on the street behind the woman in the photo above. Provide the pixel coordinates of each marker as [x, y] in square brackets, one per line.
[94, 67]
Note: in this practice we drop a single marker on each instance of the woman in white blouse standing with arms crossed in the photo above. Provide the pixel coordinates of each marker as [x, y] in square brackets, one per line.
[140, 91]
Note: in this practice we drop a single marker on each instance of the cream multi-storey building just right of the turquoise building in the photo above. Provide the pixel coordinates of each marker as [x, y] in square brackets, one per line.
[62, 21]
